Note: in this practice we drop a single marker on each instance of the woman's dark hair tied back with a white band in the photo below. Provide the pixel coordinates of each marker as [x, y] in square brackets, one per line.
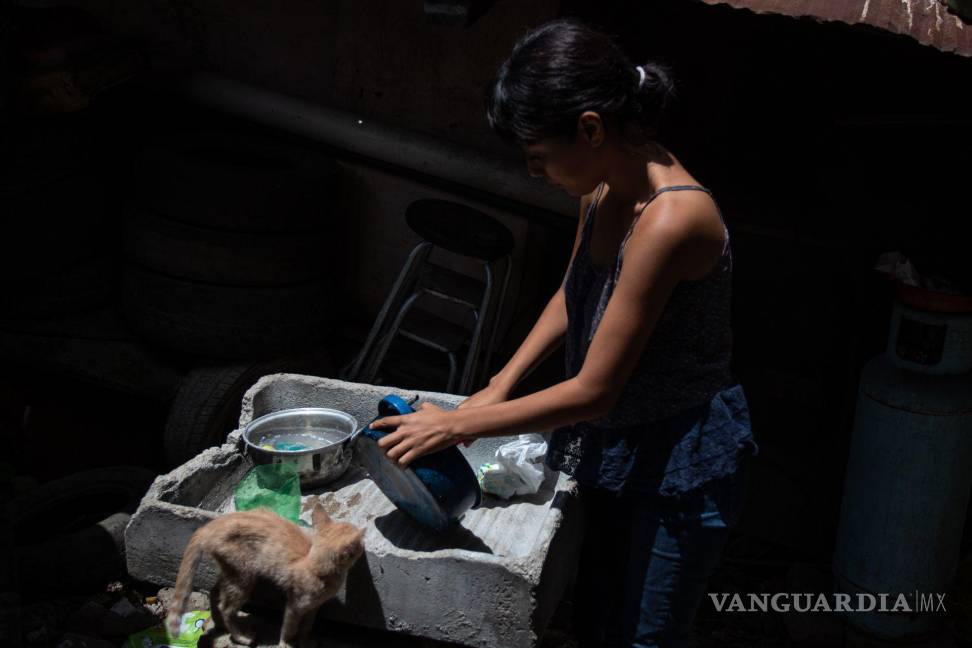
[563, 68]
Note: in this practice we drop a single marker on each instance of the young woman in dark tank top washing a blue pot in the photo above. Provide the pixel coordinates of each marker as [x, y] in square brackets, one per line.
[649, 419]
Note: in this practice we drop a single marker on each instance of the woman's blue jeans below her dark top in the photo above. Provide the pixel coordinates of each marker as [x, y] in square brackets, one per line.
[646, 560]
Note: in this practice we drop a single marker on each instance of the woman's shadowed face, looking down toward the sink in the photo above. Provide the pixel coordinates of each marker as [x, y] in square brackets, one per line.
[571, 164]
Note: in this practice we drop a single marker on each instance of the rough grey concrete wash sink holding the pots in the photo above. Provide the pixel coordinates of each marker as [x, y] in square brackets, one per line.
[493, 579]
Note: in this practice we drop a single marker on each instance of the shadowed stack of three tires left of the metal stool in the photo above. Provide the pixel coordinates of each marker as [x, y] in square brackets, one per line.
[226, 246]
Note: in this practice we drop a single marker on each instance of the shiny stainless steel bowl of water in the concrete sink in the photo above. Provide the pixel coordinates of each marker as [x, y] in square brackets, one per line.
[326, 433]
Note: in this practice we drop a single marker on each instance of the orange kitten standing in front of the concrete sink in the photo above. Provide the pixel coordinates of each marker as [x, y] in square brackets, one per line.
[308, 567]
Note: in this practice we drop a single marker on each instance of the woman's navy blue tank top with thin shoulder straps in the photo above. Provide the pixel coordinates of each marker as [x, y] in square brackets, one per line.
[681, 419]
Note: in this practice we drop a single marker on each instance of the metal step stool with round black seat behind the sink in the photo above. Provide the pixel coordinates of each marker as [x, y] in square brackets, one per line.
[464, 231]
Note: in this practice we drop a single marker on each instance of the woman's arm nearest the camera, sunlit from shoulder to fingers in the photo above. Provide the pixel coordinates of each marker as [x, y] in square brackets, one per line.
[660, 253]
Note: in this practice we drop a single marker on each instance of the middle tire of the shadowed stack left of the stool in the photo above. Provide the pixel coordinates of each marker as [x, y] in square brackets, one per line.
[222, 257]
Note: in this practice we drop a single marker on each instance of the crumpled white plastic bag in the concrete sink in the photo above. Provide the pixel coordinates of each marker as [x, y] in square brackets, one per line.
[518, 468]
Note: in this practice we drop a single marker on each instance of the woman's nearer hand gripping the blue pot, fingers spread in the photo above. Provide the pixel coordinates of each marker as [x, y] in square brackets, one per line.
[425, 431]
